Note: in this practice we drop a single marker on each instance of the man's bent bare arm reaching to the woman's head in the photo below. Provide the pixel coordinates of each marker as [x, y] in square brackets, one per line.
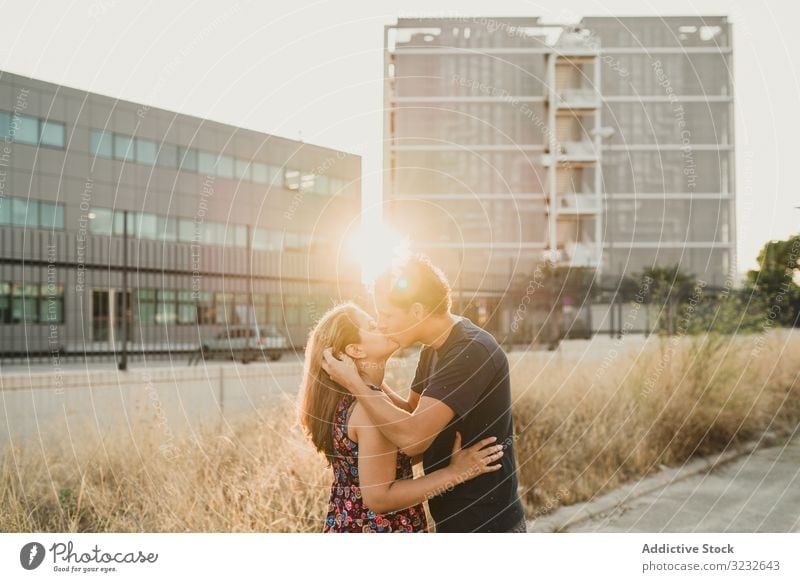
[413, 432]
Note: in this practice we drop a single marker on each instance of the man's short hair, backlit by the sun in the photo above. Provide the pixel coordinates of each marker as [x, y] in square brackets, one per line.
[415, 279]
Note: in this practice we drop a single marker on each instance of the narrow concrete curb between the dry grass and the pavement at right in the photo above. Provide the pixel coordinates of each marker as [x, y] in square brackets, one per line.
[570, 515]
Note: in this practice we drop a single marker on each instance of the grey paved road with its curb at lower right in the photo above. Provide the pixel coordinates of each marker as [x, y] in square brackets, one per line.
[758, 492]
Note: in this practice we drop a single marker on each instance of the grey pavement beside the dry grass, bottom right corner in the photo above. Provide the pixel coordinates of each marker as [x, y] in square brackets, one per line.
[752, 489]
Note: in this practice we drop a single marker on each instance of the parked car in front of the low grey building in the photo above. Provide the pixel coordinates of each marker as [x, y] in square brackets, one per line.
[244, 343]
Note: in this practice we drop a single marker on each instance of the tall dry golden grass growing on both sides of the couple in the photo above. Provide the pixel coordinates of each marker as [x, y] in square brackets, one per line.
[583, 427]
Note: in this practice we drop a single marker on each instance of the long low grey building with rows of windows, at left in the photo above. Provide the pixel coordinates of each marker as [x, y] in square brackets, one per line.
[224, 225]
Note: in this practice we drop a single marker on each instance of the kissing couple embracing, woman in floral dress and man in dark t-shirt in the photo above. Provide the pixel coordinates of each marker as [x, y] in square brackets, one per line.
[456, 419]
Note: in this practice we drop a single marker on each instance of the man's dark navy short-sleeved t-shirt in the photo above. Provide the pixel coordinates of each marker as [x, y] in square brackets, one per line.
[469, 372]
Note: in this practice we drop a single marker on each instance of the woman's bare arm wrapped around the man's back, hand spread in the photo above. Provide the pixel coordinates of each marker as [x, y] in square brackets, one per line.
[377, 458]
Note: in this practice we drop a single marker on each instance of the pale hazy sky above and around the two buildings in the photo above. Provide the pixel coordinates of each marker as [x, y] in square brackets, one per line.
[312, 70]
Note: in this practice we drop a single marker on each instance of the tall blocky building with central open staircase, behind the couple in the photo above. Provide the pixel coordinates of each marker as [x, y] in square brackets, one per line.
[604, 145]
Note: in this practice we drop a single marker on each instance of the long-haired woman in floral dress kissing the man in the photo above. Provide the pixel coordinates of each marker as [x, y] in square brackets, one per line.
[373, 488]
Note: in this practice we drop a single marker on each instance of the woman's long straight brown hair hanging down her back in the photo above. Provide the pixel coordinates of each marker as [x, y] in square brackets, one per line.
[320, 395]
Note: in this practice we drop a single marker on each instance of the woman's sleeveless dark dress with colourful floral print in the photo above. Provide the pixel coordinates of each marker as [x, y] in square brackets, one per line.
[347, 511]
